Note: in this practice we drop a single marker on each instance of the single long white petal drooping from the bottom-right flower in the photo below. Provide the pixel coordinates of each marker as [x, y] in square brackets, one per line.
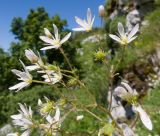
[143, 116]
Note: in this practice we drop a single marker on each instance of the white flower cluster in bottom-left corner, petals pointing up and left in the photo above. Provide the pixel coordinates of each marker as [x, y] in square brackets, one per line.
[24, 119]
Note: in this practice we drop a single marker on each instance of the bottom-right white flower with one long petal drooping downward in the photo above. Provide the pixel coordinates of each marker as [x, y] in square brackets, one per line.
[130, 94]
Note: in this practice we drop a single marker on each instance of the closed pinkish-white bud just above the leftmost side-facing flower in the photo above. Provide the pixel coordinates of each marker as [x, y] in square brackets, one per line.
[31, 56]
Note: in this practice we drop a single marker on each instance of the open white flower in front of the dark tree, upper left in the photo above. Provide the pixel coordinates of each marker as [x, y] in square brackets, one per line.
[53, 41]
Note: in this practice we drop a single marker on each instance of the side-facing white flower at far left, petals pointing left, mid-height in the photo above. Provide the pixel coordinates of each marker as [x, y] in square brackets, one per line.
[24, 76]
